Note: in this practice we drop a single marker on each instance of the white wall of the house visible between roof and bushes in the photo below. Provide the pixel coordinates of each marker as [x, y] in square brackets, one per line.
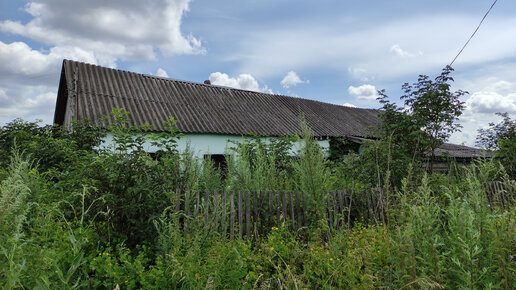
[202, 144]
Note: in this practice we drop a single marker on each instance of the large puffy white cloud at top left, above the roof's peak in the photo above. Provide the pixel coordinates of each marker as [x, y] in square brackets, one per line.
[127, 29]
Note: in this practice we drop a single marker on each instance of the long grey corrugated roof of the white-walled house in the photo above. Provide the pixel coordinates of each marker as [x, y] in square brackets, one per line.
[199, 108]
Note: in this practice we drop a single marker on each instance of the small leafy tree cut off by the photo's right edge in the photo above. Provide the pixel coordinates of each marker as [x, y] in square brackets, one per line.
[501, 138]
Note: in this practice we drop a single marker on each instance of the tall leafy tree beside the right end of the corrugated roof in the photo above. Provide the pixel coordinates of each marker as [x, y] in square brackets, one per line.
[428, 117]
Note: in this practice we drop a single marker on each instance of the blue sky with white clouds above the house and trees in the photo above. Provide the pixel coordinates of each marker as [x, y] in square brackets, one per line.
[335, 51]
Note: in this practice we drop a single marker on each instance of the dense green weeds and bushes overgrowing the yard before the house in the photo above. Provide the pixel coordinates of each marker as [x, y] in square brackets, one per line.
[76, 214]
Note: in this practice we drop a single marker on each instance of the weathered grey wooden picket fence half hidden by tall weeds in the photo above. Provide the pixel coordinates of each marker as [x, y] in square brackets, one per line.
[239, 213]
